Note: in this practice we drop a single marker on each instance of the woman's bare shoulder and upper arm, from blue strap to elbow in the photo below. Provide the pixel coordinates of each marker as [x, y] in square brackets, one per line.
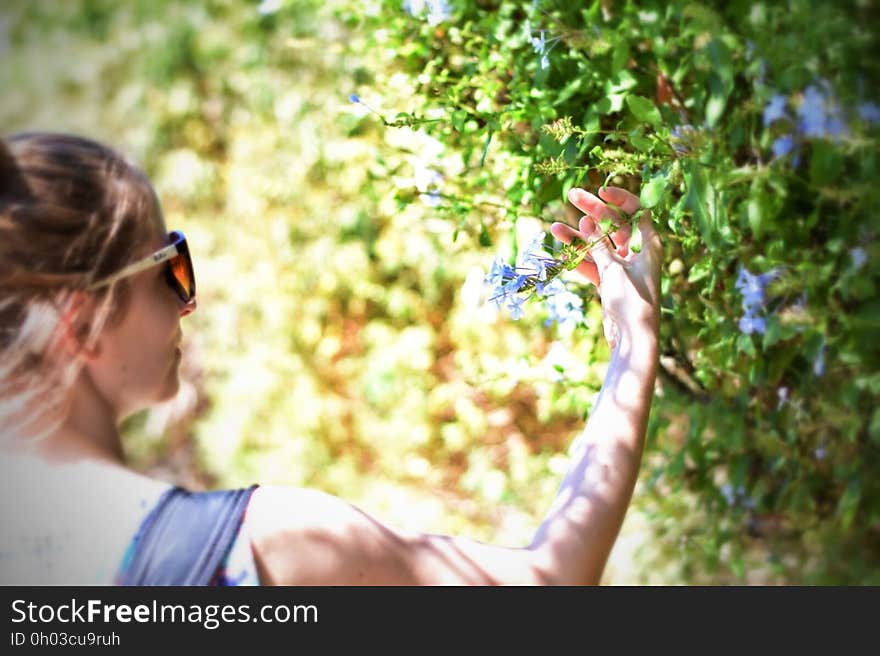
[302, 536]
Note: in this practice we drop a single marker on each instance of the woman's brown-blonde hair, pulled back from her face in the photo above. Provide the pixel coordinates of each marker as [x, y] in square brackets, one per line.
[71, 212]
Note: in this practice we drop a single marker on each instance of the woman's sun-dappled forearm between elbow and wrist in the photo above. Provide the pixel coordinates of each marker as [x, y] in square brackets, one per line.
[573, 542]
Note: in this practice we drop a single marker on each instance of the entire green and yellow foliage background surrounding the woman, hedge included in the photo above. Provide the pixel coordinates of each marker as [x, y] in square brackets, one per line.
[340, 342]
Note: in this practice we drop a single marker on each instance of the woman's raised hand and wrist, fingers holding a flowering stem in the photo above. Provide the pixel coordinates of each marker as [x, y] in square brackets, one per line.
[628, 282]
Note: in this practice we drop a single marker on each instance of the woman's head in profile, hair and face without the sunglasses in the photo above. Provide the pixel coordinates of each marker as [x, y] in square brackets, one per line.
[72, 213]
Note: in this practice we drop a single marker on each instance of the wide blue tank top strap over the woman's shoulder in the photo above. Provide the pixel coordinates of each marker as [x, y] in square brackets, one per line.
[185, 539]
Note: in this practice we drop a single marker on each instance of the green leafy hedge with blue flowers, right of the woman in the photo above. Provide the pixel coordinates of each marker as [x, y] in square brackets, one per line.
[750, 129]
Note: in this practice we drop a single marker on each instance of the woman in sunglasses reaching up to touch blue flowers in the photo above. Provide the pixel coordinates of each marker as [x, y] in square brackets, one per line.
[92, 290]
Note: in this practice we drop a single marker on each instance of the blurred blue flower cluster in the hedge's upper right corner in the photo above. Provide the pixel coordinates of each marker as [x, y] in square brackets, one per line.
[818, 116]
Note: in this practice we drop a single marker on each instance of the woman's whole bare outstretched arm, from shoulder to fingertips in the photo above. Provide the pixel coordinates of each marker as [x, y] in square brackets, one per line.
[304, 537]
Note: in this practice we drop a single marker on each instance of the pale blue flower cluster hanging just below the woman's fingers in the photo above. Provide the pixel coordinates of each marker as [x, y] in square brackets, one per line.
[538, 276]
